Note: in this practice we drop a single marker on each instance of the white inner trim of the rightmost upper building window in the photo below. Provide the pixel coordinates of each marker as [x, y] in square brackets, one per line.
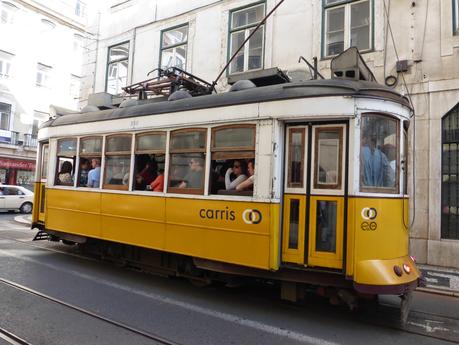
[347, 26]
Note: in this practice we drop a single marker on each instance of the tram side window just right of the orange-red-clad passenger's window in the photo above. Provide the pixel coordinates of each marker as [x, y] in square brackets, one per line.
[187, 161]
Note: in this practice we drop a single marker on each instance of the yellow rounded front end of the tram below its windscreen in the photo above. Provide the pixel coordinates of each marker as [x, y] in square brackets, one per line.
[379, 242]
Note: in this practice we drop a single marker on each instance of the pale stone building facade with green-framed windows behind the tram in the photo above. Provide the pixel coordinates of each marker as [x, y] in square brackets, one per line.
[412, 46]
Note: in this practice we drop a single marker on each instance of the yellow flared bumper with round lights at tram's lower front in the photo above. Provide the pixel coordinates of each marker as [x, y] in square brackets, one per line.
[391, 276]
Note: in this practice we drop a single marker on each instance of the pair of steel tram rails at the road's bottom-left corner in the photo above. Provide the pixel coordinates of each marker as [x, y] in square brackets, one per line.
[5, 334]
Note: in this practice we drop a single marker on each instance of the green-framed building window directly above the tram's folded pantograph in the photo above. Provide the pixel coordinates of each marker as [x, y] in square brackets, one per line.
[174, 43]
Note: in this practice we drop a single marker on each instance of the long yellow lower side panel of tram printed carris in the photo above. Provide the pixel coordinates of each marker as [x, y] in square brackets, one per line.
[236, 232]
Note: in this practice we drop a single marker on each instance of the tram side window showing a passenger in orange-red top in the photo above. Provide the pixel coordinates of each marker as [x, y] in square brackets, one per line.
[149, 161]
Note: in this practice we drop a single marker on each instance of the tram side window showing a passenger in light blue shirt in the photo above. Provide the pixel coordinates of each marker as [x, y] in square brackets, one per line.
[90, 159]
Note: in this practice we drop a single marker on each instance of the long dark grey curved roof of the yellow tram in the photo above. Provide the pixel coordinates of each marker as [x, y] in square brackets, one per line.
[307, 89]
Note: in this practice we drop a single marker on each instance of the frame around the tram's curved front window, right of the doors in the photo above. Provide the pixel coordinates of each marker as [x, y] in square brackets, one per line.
[395, 190]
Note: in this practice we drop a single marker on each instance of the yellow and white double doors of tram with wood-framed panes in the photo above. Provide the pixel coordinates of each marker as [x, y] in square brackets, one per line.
[314, 200]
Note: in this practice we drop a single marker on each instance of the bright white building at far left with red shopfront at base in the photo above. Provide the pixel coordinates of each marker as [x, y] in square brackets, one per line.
[41, 59]
